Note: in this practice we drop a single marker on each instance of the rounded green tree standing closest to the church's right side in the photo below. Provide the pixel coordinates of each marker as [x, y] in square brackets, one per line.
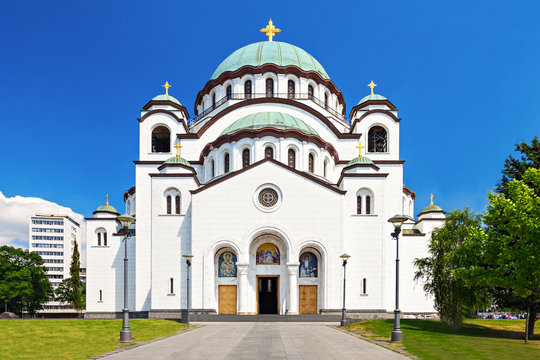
[453, 247]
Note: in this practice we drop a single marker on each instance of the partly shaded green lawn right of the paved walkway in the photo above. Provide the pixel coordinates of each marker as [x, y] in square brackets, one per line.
[478, 339]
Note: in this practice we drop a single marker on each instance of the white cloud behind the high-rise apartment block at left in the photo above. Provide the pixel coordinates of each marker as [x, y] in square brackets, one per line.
[15, 213]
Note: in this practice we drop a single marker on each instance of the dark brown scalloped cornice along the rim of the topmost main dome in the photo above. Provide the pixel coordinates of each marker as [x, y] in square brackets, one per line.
[273, 68]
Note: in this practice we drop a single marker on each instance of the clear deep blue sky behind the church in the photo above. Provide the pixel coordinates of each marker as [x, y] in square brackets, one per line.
[74, 75]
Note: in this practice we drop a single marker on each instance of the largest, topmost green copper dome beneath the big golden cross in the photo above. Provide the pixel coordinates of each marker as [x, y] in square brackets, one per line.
[270, 52]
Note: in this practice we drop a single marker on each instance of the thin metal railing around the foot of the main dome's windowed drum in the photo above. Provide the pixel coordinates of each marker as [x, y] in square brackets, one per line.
[242, 96]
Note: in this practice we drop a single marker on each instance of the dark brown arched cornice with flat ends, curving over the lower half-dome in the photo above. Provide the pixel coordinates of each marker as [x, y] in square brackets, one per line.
[272, 100]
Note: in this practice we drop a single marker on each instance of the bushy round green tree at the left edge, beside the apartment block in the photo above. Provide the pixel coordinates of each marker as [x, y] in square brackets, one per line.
[24, 286]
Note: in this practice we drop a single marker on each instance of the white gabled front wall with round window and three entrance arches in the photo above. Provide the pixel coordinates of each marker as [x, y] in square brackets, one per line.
[227, 213]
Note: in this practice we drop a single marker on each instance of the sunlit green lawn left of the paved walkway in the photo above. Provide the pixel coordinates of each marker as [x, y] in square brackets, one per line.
[73, 338]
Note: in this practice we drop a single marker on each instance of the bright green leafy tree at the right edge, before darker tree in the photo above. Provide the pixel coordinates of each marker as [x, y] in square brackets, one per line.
[512, 246]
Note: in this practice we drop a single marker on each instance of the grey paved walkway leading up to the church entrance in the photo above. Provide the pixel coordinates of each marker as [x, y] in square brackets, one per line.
[259, 340]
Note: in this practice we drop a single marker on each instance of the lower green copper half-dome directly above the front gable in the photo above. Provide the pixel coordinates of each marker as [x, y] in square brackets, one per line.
[275, 120]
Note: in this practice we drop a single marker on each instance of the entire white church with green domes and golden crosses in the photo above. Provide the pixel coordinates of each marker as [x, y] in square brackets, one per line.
[267, 184]
